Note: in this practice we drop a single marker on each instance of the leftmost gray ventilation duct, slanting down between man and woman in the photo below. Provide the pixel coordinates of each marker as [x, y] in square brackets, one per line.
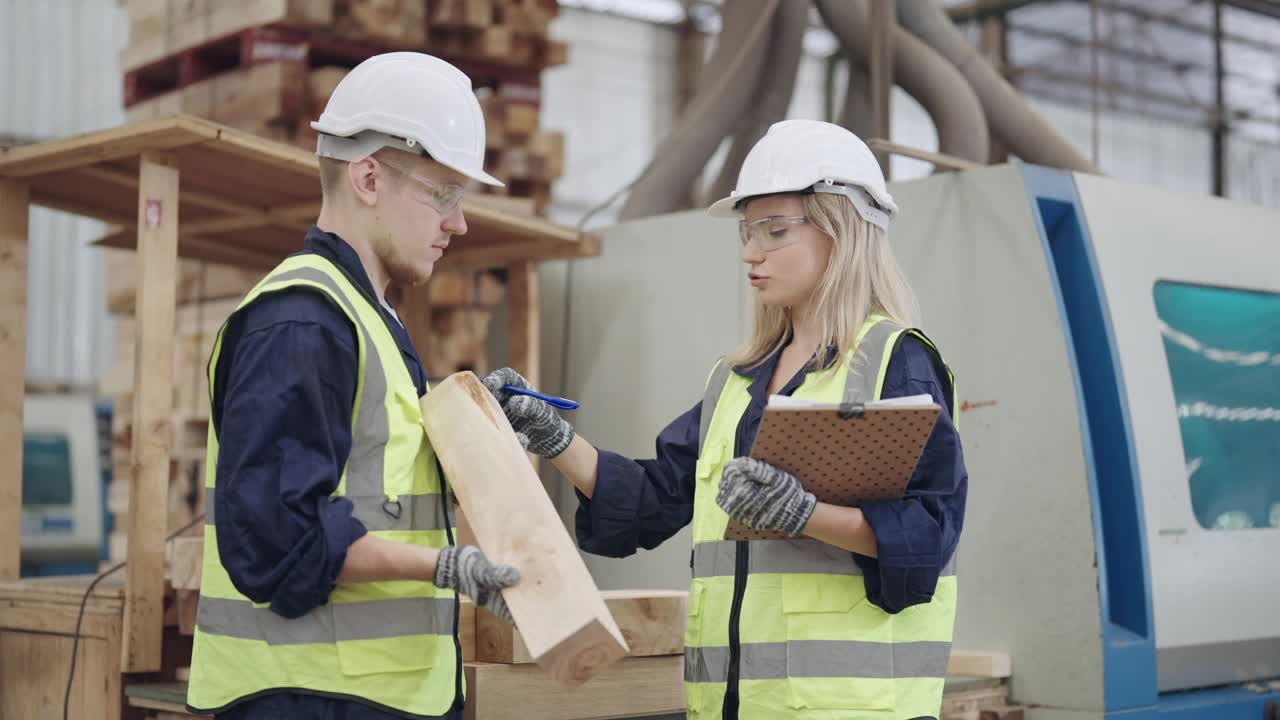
[728, 90]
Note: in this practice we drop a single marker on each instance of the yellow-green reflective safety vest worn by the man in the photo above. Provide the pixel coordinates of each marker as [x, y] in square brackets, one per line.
[388, 644]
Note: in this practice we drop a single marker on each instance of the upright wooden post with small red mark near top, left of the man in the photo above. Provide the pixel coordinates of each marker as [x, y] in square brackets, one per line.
[153, 411]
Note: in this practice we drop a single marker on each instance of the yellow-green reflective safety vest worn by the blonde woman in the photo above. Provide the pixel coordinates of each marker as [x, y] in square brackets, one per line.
[788, 623]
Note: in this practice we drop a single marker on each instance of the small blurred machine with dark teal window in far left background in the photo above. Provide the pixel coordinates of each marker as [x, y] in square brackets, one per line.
[63, 484]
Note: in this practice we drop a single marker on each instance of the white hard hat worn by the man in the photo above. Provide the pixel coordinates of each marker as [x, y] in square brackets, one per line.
[410, 102]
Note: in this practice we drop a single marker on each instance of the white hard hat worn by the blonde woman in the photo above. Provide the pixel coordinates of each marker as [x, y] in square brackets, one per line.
[812, 157]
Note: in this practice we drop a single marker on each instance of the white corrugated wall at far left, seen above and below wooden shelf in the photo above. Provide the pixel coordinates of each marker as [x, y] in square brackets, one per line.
[60, 76]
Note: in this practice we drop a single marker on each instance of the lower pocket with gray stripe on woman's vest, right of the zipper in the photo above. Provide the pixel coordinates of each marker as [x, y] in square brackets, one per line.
[840, 648]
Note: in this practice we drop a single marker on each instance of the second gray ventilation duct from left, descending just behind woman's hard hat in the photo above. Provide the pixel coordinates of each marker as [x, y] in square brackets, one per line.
[774, 97]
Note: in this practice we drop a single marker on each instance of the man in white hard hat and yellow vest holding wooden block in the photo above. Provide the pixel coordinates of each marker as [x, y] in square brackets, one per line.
[332, 578]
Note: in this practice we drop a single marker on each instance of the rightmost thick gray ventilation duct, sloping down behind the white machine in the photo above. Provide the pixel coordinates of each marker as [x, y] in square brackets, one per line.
[1012, 120]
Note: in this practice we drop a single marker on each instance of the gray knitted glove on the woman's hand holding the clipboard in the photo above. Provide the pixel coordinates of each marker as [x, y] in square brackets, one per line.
[765, 498]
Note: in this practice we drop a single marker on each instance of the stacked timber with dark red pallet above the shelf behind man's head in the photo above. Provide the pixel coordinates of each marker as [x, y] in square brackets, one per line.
[268, 67]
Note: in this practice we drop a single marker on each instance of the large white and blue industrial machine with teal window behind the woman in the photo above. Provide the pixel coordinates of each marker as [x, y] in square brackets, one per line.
[1118, 357]
